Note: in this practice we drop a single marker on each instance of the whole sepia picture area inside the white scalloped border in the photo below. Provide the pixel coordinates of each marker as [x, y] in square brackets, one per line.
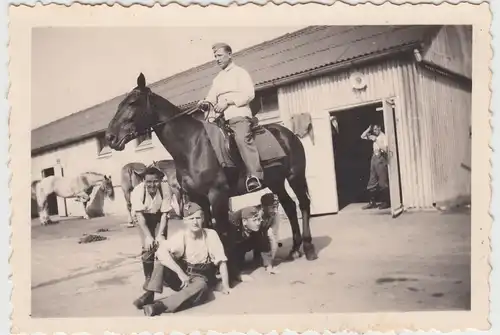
[239, 170]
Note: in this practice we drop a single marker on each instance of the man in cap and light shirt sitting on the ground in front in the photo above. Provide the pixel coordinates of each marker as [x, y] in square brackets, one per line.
[188, 263]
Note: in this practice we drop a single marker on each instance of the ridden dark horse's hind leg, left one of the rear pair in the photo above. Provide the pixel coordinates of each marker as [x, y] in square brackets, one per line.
[291, 212]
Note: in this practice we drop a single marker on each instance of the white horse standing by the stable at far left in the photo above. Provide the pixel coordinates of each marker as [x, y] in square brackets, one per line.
[79, 187]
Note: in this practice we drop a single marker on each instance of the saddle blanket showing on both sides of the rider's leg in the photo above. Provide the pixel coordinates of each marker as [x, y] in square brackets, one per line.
[268, 147]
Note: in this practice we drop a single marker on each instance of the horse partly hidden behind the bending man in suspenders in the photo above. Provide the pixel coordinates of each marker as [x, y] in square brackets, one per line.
[131, 177]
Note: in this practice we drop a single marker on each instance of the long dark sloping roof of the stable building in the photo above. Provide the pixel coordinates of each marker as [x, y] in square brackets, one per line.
[291, 54]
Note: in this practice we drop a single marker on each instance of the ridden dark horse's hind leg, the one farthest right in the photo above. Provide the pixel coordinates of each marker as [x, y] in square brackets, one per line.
[299, 187]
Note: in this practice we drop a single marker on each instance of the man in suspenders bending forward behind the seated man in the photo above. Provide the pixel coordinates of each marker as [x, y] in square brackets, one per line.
[151, 202]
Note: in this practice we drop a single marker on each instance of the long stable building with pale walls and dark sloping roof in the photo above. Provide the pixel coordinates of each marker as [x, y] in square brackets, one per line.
[415, 81]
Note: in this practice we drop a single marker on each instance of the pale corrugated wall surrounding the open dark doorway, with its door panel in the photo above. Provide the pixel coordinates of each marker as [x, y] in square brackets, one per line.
[318, 96]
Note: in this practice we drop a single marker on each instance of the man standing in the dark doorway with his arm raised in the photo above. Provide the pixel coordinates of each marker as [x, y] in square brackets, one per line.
[378, 184]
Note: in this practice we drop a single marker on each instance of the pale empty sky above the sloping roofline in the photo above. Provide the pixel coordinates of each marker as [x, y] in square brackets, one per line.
[76, 68]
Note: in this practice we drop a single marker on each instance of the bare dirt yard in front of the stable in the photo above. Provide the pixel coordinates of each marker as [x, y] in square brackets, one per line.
[367, 263]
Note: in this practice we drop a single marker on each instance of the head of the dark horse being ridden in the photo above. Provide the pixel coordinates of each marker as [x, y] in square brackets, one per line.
[134, 116]
